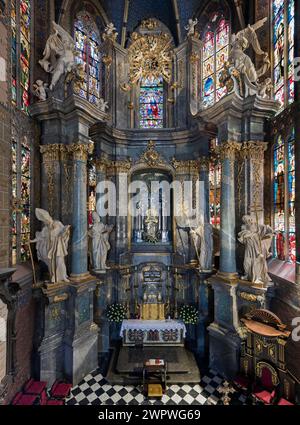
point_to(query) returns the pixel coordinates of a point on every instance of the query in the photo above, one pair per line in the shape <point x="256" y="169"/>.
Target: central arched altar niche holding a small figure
<point x="152" y="225"/>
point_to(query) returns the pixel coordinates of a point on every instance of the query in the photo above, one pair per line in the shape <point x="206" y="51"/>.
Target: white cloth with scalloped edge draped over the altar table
<point x="151" y="325"/>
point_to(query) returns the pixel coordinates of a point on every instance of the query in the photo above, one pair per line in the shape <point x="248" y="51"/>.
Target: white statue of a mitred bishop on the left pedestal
<point x="52" y="245"/>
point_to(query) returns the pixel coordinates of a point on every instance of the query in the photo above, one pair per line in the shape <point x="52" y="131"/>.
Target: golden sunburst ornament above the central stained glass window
<point x="150" y="57"/>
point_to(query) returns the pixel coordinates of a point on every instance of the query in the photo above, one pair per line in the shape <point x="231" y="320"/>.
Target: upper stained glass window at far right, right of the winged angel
<point x="283" y="43"/>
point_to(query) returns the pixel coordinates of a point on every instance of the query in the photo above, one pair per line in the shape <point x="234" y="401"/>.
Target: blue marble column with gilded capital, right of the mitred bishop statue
<point x="79" y="246"/>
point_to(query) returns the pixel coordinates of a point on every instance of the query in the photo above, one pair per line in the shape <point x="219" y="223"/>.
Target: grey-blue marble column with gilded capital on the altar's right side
<point x="228" y="232"/>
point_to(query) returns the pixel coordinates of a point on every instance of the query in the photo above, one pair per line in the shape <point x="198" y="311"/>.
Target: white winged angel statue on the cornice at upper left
<point x="58" y="56"/>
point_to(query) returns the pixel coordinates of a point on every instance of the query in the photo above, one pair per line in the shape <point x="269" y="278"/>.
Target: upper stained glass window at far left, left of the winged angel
<point x="20" y="53"/>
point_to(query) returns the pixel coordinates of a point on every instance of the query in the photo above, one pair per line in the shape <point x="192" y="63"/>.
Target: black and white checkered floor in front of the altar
<point x="94" y="389"/>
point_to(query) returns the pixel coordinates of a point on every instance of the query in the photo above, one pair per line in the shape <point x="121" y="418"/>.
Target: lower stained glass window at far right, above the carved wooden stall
<point x="284" y="198"/>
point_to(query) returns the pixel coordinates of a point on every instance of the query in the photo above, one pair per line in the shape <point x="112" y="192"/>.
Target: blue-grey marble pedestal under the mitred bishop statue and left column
<point x="66" y="340"/>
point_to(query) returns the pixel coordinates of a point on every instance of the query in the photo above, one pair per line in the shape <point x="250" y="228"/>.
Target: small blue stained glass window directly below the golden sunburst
<point x="152" y="103"/>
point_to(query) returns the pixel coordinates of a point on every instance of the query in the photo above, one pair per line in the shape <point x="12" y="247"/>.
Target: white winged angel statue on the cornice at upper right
<point x="240" y="60"/>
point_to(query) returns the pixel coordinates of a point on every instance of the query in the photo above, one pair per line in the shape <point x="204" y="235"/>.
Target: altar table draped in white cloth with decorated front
<point x="153" y="332"/>
